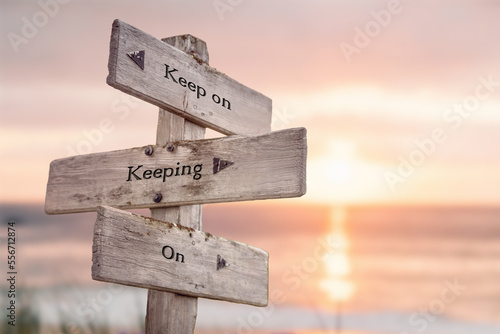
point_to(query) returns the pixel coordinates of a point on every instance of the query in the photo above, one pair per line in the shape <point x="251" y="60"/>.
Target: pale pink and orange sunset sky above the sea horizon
<point x="399" y="86"/>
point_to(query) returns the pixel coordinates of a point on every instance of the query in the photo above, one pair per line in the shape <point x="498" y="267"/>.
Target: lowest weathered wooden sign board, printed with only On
<point x="144" y="252"/>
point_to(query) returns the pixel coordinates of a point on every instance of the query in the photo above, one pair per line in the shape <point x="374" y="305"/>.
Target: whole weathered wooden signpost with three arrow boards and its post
<point x="168" y="253"/>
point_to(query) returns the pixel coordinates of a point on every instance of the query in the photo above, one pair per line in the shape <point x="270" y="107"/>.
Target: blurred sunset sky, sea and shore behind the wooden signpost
<point x="399" y="230"/>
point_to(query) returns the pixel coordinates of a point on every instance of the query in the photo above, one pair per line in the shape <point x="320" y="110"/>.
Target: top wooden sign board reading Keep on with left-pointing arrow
<point x="146" y="67"/>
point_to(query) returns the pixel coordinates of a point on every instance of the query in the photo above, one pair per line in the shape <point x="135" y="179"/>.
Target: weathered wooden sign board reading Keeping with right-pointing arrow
<point x="234" y="168"/>
